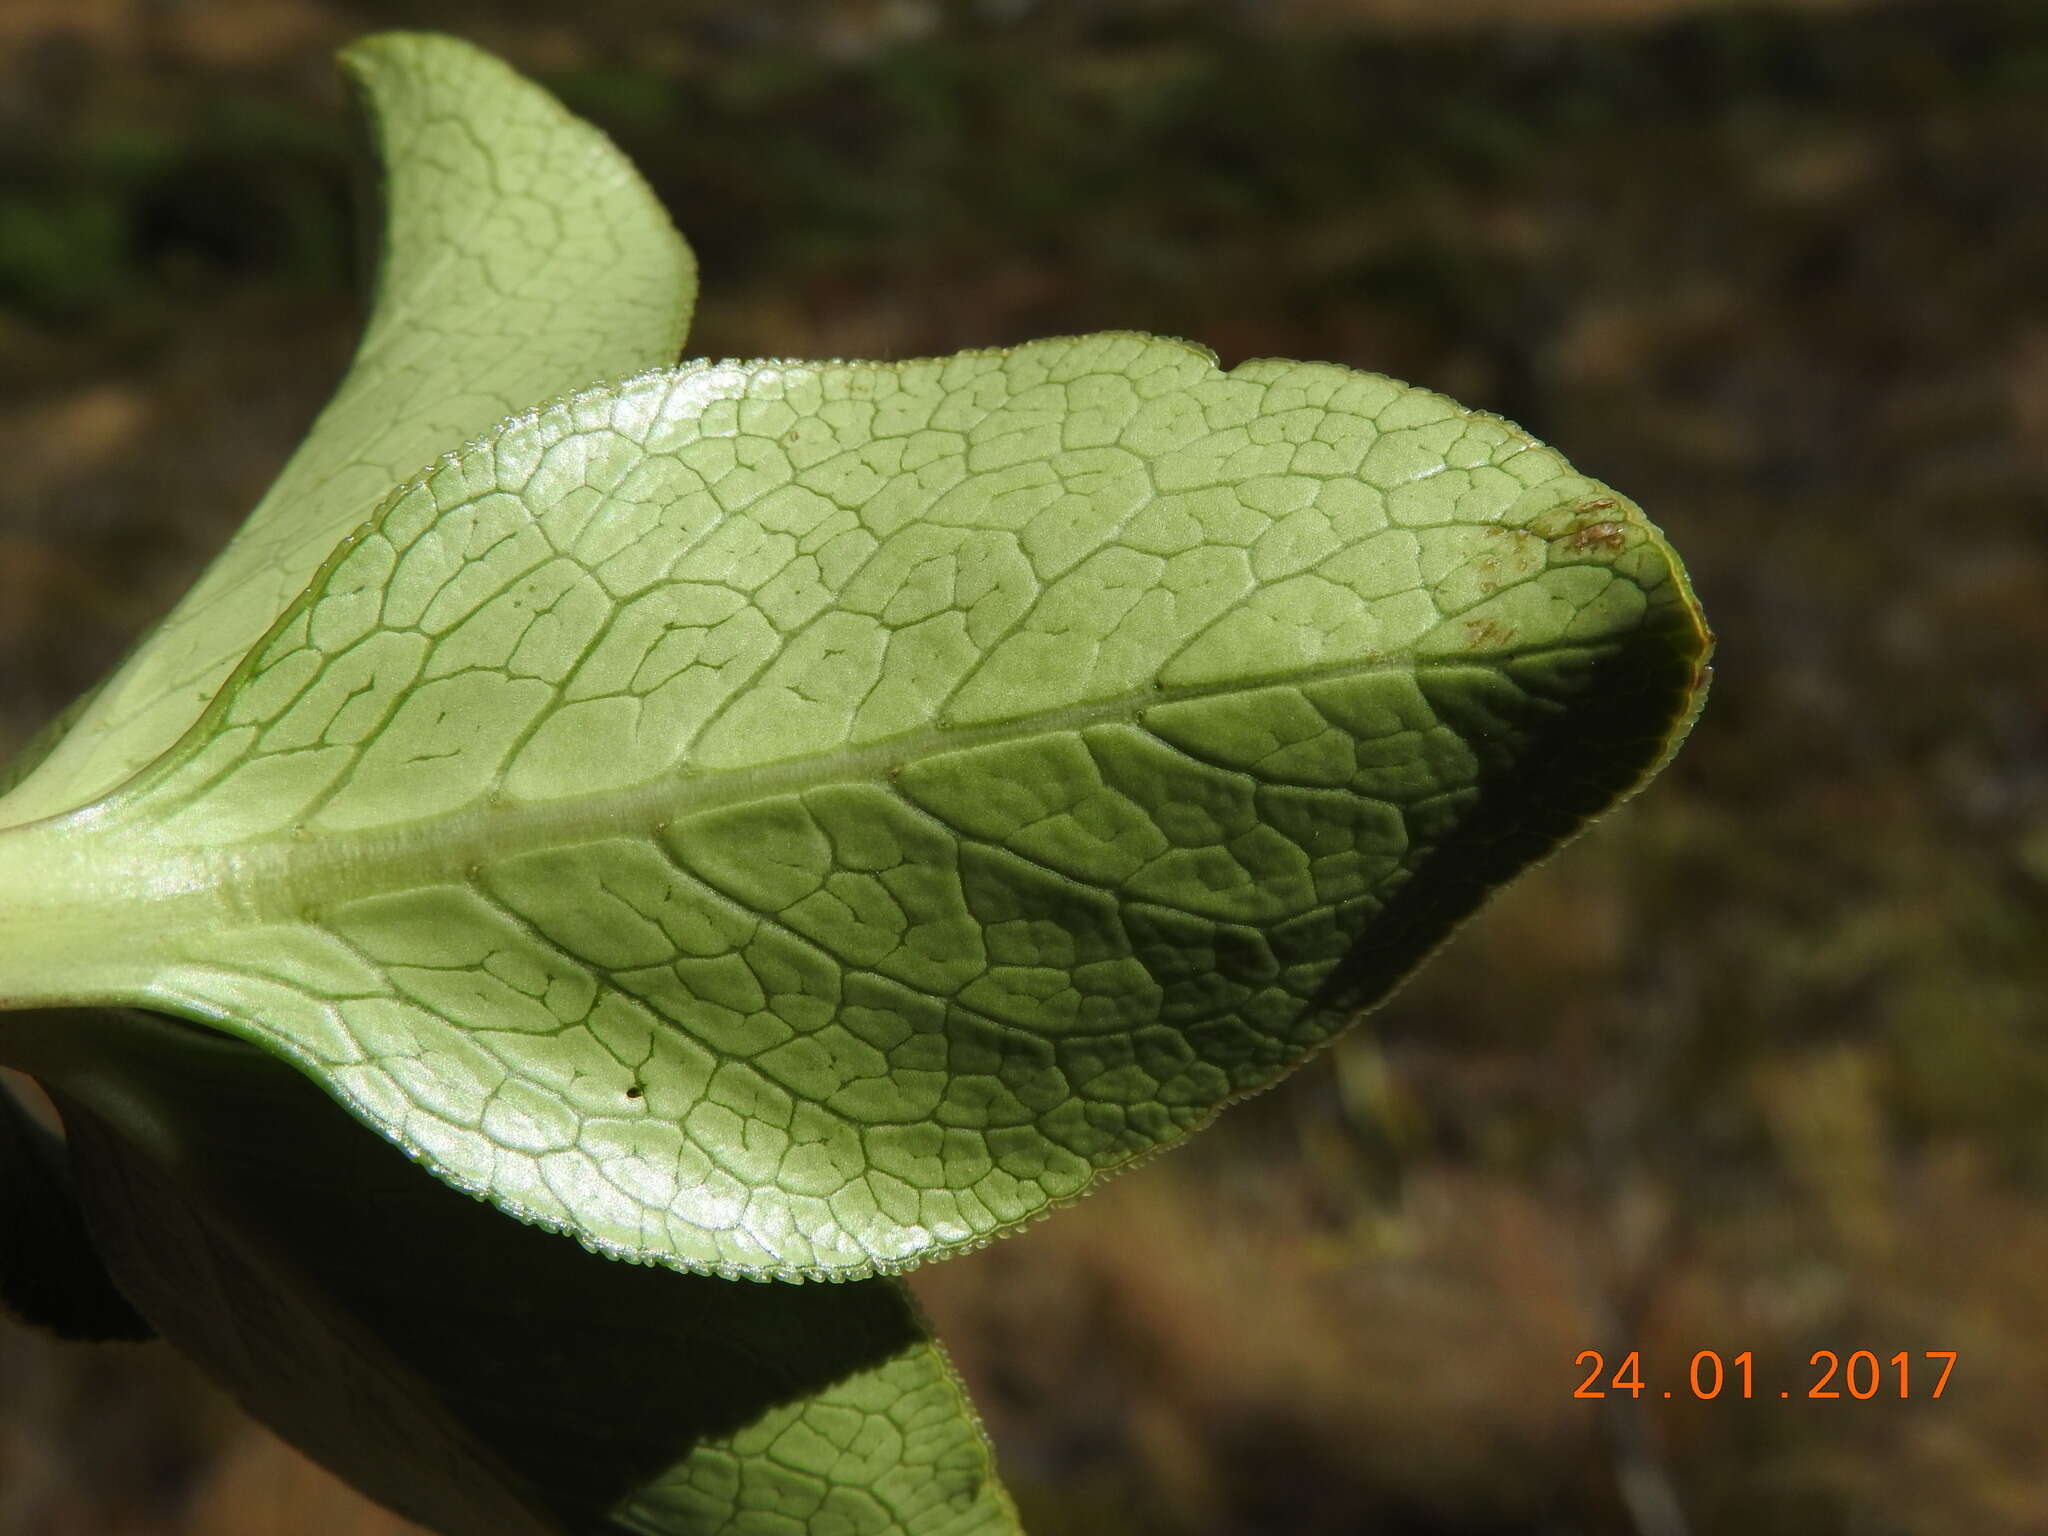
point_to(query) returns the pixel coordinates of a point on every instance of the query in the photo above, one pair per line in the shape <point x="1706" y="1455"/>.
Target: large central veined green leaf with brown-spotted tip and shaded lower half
<point x="812" y="818"/>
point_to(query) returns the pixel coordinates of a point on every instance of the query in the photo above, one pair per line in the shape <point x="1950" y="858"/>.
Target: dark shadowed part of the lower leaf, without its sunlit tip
<point x="357" y="1304"/>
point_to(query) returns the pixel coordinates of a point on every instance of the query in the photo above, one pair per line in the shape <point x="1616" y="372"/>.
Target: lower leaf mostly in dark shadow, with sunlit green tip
<point x="478" y="1375"/>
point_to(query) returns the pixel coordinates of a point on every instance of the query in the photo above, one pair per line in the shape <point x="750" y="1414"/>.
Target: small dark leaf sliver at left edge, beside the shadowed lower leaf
<point x="50" y="1273"/>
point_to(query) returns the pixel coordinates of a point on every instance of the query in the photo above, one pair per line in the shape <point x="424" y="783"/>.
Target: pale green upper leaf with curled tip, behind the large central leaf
<point x="523" y="257"/>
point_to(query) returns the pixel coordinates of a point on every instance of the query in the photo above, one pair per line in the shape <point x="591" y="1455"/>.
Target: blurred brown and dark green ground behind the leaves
<point x="1760" y="1064"/>
